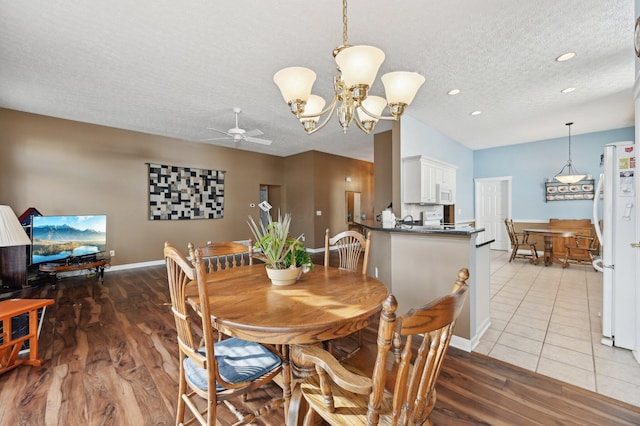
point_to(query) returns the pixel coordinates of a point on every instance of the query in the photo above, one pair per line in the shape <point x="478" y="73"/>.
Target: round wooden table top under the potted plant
<point x="324" y="304"/>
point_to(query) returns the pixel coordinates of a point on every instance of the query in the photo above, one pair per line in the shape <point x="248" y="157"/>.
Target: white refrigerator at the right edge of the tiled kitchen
<point x="615" y="210"/>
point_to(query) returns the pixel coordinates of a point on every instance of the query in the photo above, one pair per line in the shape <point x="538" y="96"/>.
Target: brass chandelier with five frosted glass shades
<point x="357" y="69"/>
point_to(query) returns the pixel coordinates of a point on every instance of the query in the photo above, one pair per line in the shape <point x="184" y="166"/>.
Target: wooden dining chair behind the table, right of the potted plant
<point x="351" y="247"/>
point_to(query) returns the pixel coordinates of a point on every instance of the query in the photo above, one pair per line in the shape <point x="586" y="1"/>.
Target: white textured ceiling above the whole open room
<point x="175" y="68"/>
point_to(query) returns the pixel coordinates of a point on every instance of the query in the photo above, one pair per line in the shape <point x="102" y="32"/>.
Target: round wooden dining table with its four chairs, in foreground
<point x="284" y="334"/>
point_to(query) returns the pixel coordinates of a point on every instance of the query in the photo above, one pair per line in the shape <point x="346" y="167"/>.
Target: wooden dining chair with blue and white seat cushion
<point x="211" y="372"/>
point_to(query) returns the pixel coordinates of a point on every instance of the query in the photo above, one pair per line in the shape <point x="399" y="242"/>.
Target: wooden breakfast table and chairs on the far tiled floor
<point x="565" y="241"/>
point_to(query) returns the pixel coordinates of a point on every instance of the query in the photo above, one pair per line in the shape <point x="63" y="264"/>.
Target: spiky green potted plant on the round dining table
<point x="285" y="257"/>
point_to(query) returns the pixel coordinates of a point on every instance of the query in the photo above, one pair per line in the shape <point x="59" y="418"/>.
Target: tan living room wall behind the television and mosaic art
<point x="67" y="167"/>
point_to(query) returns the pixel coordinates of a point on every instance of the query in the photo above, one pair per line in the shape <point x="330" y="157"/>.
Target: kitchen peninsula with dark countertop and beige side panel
<point x="419" y="264"/>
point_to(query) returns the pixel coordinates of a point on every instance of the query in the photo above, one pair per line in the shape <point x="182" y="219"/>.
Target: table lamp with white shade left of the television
<point x="13" y="255"/>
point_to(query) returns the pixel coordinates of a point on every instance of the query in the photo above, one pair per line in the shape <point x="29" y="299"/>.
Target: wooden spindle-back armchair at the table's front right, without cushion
<point x="399" y="388"/>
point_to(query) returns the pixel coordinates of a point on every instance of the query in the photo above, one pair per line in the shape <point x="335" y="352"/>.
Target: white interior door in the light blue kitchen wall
<point x="493" y="206"/>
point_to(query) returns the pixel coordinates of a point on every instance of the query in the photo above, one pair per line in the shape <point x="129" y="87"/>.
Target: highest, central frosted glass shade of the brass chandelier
<point x="359" y="64"/>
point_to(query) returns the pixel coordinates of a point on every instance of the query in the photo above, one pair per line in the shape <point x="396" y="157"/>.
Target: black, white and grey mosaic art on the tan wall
<point x="184" y="193"/>
